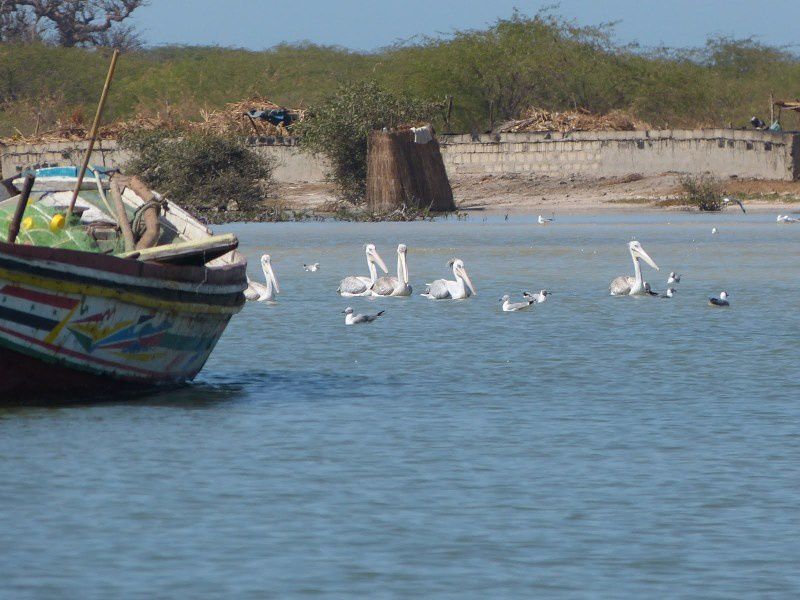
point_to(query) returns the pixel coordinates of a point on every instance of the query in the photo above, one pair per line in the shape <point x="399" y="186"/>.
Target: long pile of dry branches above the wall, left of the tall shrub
<point x="230" y="120"/>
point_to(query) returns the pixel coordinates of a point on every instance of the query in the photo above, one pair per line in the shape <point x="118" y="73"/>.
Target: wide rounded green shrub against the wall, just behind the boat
<point x="205" y="172"/>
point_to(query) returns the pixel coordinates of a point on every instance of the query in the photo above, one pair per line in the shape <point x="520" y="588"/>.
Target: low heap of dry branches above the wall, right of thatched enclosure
<point x="536" y="119"/>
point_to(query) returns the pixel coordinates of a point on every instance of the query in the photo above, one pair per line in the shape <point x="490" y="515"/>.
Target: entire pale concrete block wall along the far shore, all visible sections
<point x="723" y="152"/>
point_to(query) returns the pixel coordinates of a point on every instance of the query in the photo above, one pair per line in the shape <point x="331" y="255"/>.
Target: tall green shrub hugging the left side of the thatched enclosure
<point x="337" y="128"/>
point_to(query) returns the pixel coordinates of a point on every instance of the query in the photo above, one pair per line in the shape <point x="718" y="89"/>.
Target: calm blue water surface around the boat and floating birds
<point x="593" y="447"/>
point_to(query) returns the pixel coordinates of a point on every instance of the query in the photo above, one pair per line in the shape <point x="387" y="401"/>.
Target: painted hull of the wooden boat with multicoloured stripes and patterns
<point x="75" y="322"/>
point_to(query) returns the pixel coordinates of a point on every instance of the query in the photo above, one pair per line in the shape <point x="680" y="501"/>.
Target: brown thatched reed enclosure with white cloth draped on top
<point x="403" y="174"/>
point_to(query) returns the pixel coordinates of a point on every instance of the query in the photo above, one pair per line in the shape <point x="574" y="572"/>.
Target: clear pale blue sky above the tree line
<point x="369" y="24"/>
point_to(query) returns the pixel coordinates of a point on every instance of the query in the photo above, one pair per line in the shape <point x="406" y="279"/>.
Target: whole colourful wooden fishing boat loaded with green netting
<point x="83" y="309"/>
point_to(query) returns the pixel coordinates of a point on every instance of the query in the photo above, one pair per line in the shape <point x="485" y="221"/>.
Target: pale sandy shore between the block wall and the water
<point x="541" y="195"/>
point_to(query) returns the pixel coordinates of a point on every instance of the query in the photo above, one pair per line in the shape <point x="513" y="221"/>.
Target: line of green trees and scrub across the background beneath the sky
<point x="56" y="70"/>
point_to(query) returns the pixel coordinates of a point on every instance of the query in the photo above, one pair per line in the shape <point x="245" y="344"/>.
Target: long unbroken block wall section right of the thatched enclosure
<point x="723" y="152"/>
